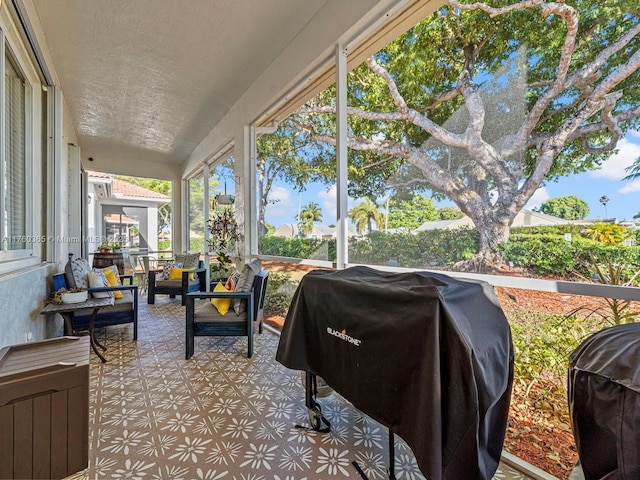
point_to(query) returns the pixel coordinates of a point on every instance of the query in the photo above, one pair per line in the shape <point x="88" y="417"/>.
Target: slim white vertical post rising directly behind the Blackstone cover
<point x="341" y="157"/>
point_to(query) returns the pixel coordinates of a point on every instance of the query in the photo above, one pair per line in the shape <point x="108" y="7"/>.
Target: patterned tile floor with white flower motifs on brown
<point x="219" y="415"/>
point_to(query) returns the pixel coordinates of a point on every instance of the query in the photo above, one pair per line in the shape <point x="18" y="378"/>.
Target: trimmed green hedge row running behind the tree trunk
<point x="544" y="250"/>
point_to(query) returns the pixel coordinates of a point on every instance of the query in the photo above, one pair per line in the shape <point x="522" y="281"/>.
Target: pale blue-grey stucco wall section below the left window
<point x="23" y="295"/>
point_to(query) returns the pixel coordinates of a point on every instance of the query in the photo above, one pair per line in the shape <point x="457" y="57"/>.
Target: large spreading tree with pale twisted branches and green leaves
<point x="482" y="103"/>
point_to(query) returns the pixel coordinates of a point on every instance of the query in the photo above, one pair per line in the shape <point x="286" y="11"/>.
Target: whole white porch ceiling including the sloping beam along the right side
<point x="159" y="84"/>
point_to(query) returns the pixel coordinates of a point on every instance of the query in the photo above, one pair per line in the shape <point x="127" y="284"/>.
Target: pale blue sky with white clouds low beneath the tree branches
<point x="624" y="196"/>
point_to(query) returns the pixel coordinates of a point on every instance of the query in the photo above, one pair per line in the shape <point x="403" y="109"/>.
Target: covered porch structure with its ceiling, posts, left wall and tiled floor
<point x="168" y="89"/>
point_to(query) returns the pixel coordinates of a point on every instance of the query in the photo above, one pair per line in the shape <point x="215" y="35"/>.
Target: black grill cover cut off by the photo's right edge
<point x="604" y="402"/>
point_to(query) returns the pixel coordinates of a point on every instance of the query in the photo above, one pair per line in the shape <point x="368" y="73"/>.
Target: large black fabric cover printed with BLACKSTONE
<point x="424" y="354"/>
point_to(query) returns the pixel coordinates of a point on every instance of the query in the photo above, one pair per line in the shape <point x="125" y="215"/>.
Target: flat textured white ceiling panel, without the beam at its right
<point x="149" y="79"/>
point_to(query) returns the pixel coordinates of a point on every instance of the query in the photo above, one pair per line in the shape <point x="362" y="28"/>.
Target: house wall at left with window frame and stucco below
<point x="25" y="280"/>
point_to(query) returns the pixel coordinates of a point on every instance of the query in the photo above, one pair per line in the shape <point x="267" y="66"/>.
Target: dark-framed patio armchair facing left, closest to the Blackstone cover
<point x="208" y="321"/>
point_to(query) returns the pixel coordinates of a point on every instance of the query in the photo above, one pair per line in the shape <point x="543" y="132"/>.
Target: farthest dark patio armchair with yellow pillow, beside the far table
<point x="191" y="276"/>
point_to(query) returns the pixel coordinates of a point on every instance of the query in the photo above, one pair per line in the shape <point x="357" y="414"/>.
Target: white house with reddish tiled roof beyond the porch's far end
<point x="122" y="212"/>
